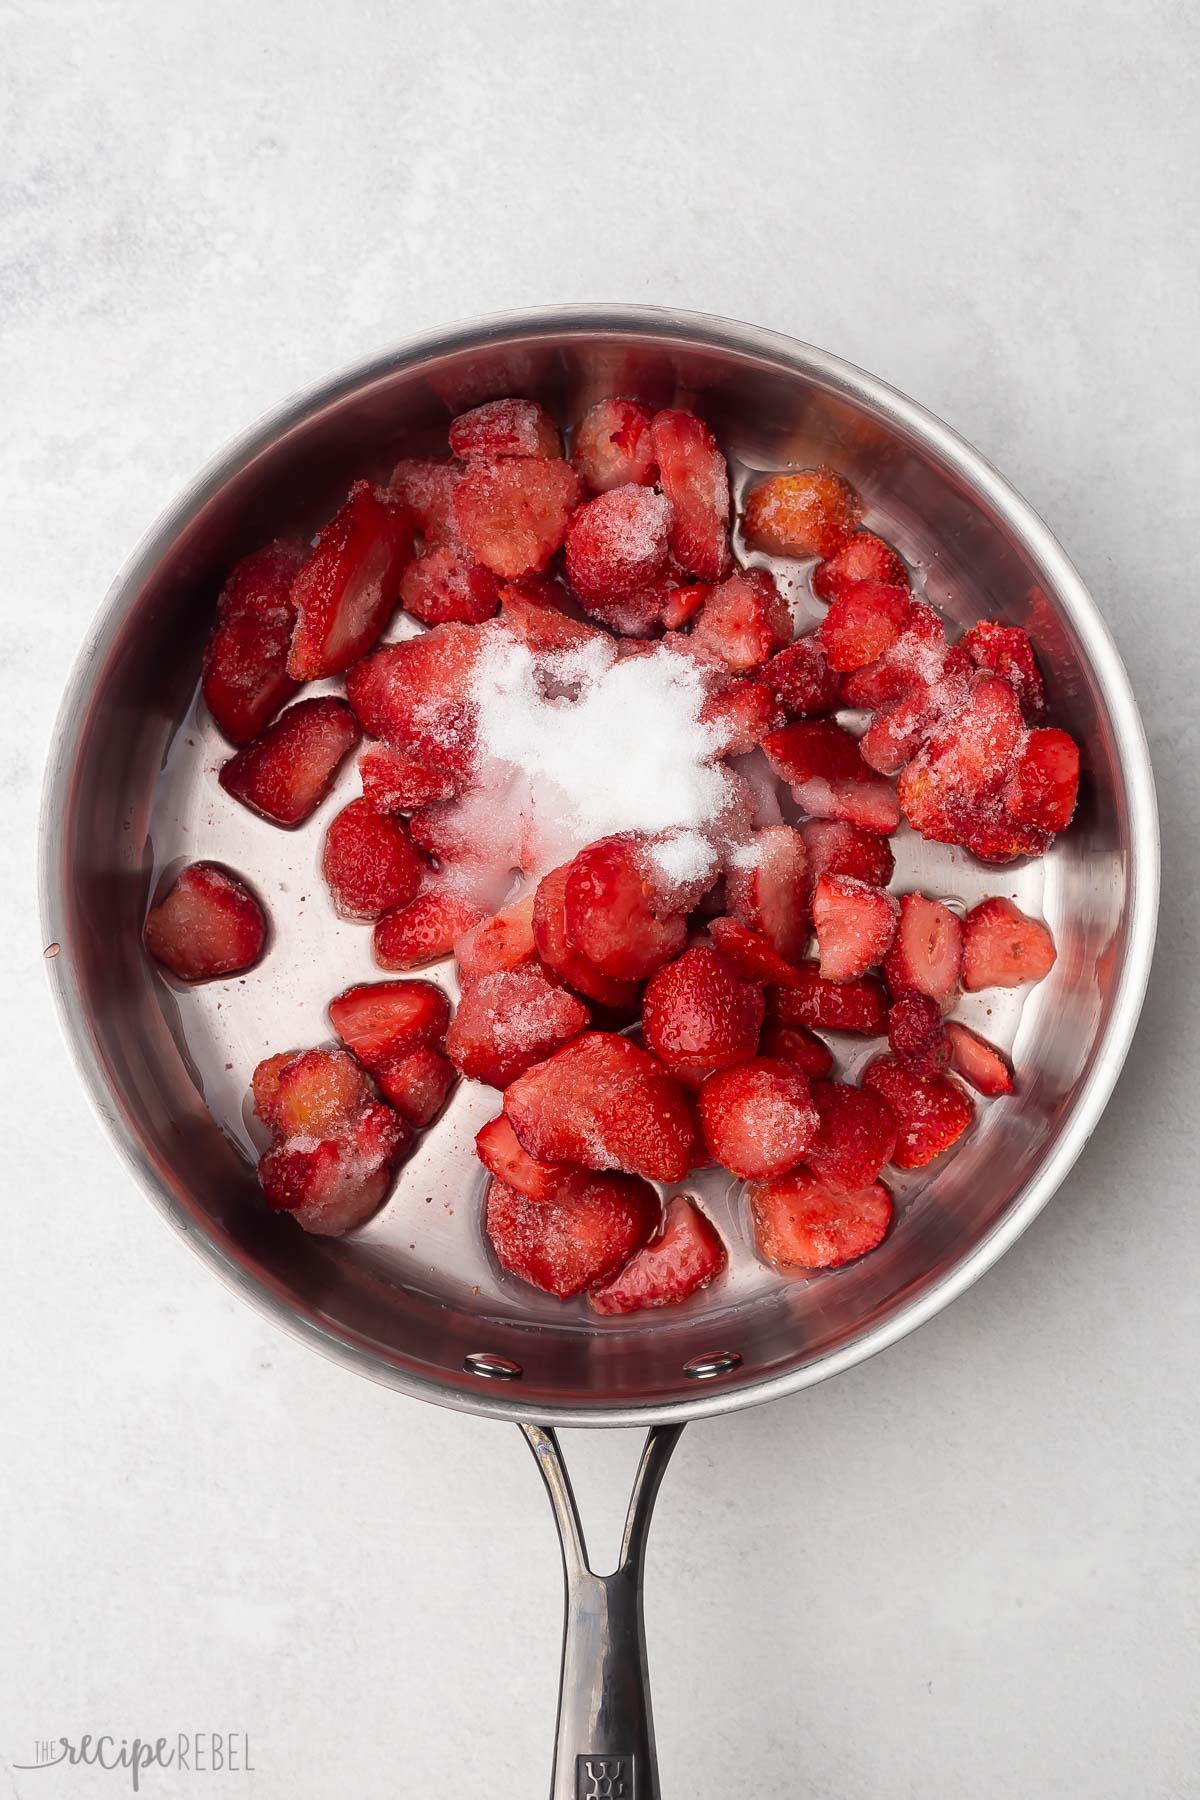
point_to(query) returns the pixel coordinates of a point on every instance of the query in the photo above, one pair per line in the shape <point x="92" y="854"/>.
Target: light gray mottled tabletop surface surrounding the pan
<point x="963" y="1570"/>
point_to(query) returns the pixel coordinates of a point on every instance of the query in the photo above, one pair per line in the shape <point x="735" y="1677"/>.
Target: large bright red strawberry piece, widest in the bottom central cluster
<point x="605" y="1104"/>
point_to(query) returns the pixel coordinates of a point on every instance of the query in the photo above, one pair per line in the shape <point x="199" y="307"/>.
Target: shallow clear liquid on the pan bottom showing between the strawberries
<point x="429" y="1232"/>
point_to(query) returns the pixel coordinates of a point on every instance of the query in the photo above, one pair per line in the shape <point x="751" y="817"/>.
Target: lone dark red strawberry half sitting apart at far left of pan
<point x="208" y="924"/>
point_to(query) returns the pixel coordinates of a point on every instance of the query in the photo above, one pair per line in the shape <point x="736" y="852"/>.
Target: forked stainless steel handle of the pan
<point x="605" y="1741"/>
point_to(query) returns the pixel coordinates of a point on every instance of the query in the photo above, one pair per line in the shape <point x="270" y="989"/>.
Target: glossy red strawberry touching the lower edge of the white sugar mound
<point x="611" y="917"/>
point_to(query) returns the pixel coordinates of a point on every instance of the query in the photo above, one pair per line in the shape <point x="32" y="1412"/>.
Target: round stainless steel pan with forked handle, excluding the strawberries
<point x="413" y="1299"/>
